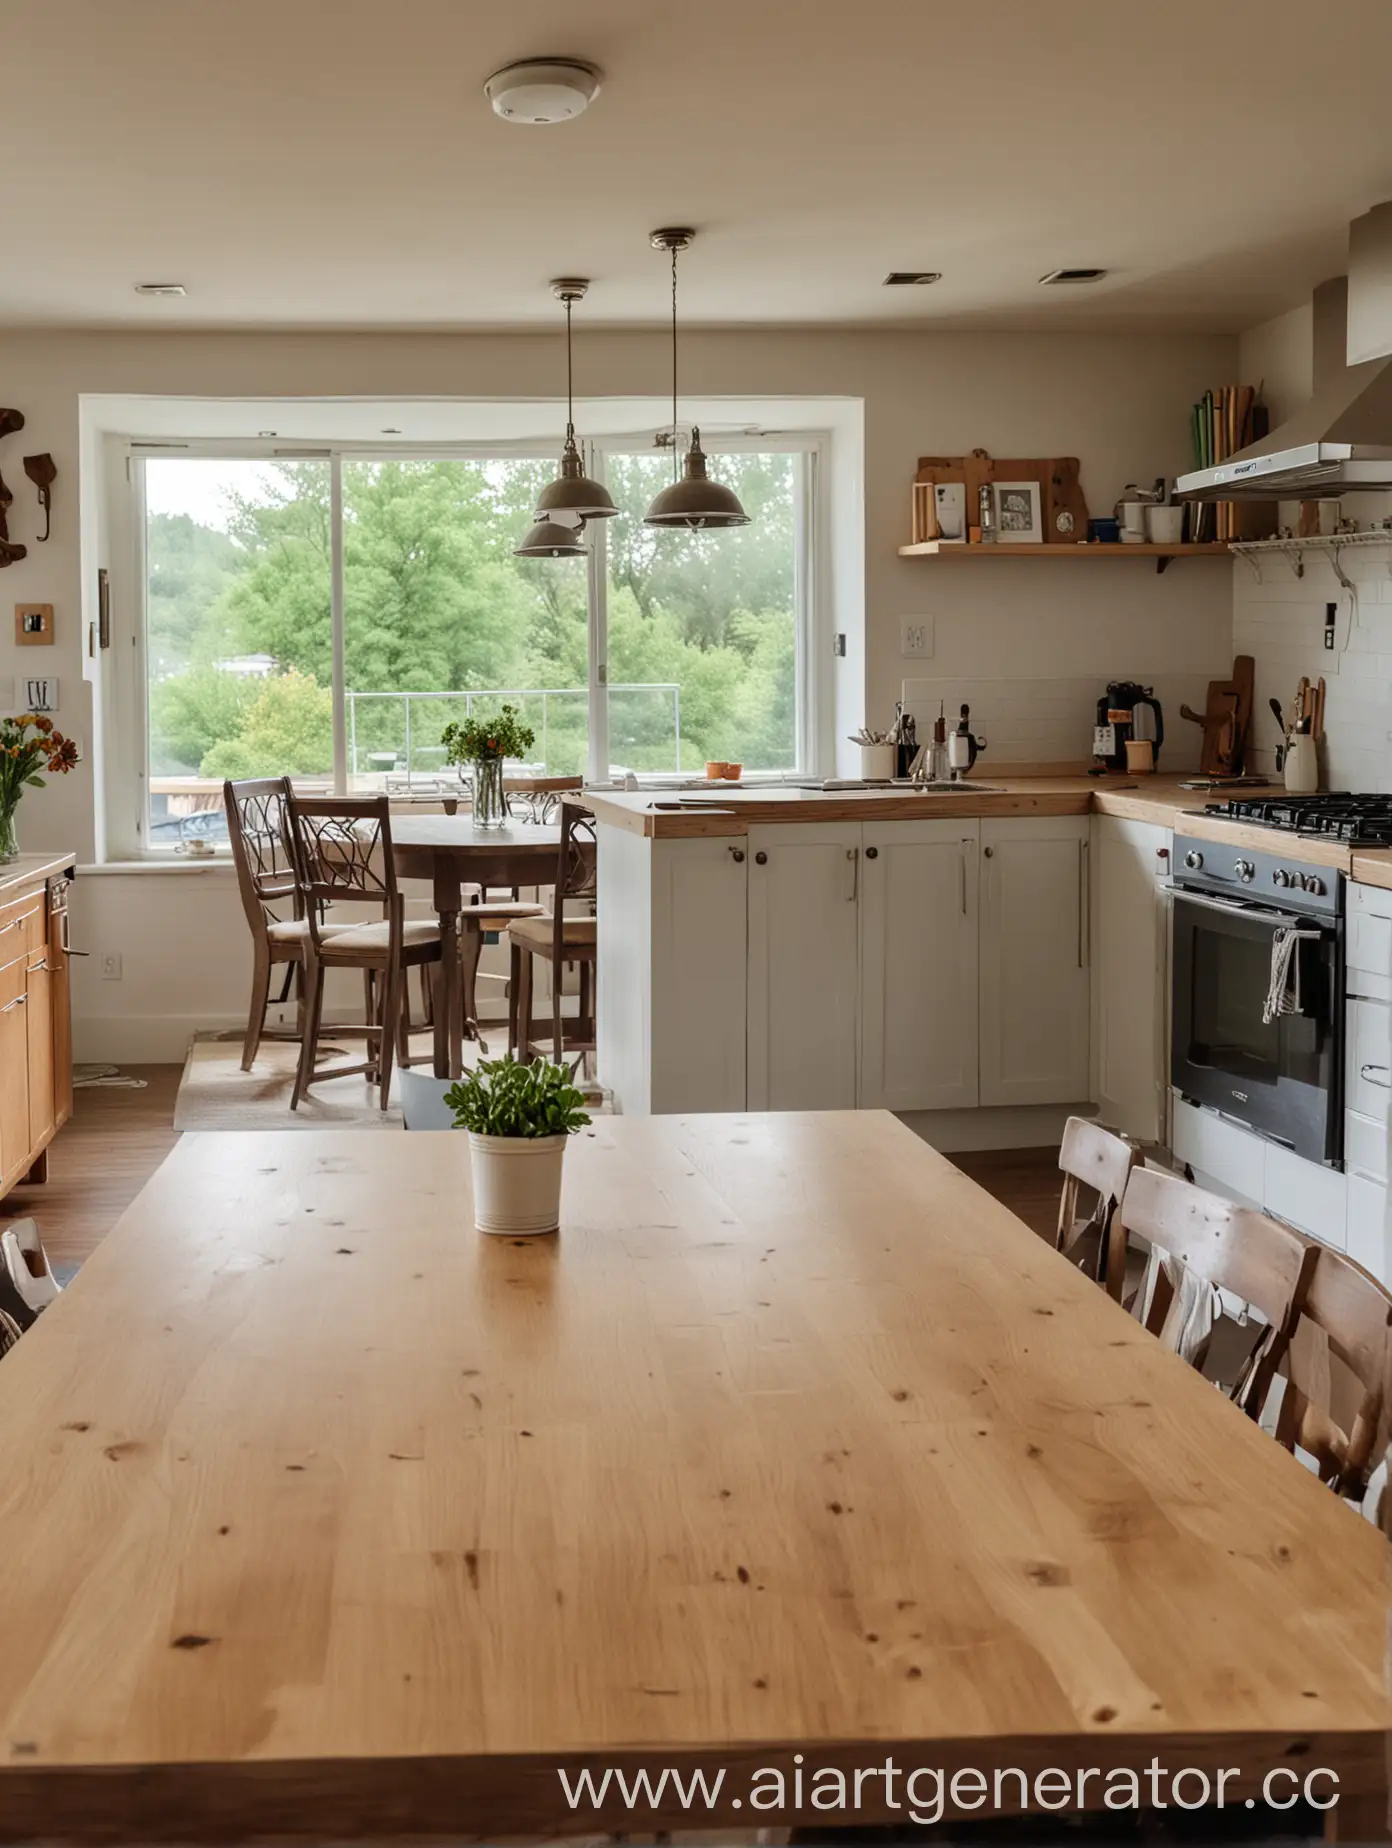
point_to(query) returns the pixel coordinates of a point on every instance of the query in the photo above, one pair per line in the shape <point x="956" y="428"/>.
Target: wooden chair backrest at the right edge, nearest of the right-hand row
<point x="1339" y="1374"/>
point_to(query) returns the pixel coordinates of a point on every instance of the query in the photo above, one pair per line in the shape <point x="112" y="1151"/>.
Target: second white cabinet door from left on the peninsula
<point x="803" y="971"/>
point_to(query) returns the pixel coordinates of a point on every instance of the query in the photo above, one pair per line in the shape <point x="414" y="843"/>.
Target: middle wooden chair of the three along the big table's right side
<point x="1217" y="1246"/>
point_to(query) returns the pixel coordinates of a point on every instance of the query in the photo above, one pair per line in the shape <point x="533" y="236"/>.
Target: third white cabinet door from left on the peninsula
<point x="918" y="966"/>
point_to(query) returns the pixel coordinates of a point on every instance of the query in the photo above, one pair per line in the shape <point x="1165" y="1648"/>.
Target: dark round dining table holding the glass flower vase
<point x="452" y="853"/>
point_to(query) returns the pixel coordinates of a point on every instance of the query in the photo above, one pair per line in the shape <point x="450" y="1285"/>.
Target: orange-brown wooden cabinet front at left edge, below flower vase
<point x="36" y="1030"/>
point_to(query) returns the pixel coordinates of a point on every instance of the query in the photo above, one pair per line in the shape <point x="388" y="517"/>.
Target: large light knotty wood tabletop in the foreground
<point x="326" y="1516"/>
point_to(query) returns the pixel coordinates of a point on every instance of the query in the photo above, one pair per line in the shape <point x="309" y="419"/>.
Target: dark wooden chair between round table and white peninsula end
<point x="559" y="940"/>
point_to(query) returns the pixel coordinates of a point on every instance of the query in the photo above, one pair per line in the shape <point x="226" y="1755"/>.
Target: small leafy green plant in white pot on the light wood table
<point x="519" y="1119"/>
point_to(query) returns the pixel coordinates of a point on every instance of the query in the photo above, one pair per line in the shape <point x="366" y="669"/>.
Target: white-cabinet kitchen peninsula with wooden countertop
<point x="925" y="953"/>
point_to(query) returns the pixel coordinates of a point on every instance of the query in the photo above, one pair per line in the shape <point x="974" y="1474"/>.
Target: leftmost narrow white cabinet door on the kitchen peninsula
<point x="700" y="1025"/>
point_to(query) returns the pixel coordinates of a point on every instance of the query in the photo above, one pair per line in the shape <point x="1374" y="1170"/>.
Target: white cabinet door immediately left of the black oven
<point x="1132" y="975"/>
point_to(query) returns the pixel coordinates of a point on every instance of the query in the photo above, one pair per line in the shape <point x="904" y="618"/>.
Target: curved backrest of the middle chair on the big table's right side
<point x="1232" y="1248"/>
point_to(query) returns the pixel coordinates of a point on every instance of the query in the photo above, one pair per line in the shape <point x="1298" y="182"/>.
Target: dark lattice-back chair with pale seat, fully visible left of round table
<point x="345" y="855"/>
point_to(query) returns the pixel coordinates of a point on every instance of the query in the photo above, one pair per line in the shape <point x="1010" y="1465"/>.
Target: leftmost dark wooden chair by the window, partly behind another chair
<point x="263" y="857"/>
